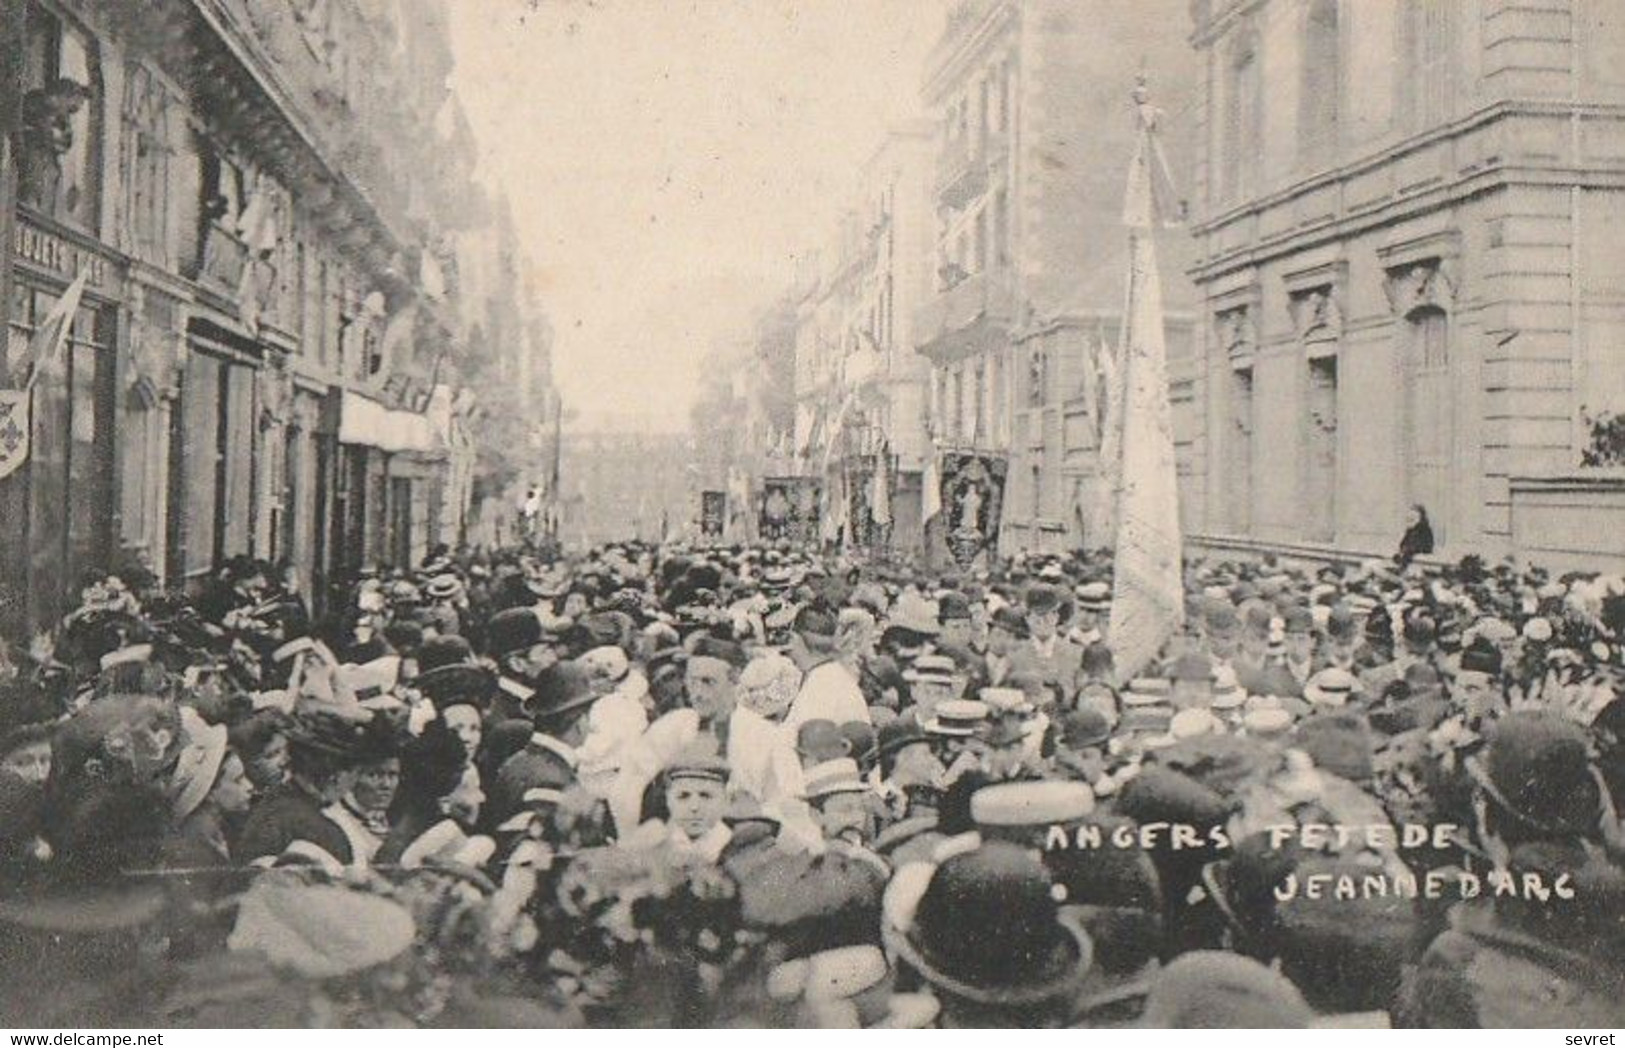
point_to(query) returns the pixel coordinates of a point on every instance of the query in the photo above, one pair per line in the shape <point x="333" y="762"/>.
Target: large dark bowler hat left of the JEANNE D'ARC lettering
<point x="987" y="929"/>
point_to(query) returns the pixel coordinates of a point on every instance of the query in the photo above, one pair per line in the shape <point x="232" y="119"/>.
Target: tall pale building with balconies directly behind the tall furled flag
<point x="1034" y="136"/>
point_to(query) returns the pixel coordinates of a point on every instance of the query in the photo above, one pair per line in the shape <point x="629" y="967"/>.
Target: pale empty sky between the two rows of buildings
<point x="669" y="160"/>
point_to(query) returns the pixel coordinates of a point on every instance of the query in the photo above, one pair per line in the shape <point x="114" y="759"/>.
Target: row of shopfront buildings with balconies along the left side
<point x="267" y="355"/>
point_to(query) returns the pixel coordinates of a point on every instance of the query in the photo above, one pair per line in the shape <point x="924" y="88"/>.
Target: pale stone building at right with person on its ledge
<point x="1411" y="275"/>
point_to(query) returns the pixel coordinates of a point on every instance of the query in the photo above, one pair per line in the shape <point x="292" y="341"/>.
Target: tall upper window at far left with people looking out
<point x="59" y="144"/>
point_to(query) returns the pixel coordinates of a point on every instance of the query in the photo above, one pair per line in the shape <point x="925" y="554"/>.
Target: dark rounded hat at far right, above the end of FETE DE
<point x="1538" y="771"/>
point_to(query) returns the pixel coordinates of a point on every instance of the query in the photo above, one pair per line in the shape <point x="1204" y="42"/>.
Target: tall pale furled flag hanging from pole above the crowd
<point x="1148" y="602"/>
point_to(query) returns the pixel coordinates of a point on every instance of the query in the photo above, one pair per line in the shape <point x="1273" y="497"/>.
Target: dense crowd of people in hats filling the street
<point x="737" y="787"/>
